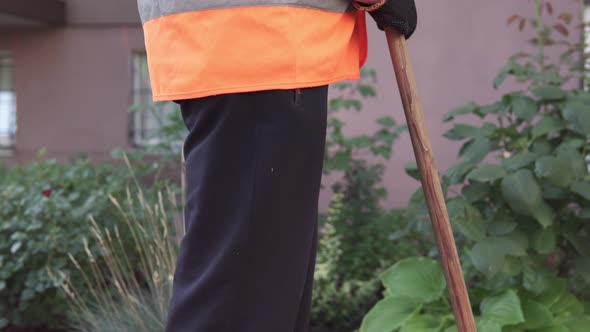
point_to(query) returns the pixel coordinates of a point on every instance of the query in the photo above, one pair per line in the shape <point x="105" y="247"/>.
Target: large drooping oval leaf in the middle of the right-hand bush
<point x="522" y="192"/>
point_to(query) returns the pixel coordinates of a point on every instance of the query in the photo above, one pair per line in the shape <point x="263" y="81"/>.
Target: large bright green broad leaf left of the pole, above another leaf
<point x="420" y="278"/>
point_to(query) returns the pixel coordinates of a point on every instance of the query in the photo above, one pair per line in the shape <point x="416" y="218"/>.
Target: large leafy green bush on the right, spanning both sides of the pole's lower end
<point x="522" y="220"/>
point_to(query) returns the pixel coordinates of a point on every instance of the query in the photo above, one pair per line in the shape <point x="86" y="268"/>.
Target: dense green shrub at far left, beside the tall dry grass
<point x="44" y="207"/>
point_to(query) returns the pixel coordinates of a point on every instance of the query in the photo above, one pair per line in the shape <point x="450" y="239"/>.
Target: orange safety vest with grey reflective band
<point x="198" y="48"/>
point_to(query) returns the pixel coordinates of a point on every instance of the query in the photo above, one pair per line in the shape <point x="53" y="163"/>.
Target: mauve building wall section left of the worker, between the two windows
<point x="72" y="83"/>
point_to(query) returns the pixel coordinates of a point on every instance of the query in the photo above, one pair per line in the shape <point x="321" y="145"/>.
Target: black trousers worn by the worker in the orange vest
<point x="253" y="169"/>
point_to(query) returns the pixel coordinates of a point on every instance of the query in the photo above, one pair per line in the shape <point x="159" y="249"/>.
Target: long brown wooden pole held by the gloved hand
<point x="430" y="181"/>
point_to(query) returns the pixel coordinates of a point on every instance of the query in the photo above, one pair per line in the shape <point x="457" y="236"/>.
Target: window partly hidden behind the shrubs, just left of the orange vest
<point x="147" y="117"/>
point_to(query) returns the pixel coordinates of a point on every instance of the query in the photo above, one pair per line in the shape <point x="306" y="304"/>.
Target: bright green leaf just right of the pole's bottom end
<point x="504" y="309"/>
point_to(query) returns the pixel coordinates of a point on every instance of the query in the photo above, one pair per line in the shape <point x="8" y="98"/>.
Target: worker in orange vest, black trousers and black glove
<point x="251" y="78"/>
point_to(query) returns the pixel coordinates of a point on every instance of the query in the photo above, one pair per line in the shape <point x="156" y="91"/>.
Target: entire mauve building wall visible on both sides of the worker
<point x="73" y="83"/>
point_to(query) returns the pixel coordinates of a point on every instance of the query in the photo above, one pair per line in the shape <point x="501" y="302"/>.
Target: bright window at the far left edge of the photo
<point x="7" y="103"/>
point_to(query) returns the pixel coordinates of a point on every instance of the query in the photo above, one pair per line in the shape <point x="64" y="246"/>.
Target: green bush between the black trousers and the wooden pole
<point x="358" y="238"/>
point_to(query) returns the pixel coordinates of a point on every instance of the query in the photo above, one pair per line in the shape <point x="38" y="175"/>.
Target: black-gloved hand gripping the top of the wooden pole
<point x="400" y="14"/>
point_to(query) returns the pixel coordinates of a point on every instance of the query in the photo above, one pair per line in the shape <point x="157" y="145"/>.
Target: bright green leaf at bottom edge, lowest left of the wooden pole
<point x="389" y="314"/>
